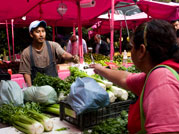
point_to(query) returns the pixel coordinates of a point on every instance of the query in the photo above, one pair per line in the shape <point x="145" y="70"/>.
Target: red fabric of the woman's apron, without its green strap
<point x="134" y="123"/>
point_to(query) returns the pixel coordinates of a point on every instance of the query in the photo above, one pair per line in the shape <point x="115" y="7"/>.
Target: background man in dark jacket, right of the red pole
<point x="101" y="46"/>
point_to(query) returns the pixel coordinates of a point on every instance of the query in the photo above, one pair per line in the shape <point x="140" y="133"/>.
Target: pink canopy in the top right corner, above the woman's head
<point x="160" y="10"/>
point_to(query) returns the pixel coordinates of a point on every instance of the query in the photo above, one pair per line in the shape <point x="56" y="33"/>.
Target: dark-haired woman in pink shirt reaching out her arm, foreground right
<point x="156" y="110"/>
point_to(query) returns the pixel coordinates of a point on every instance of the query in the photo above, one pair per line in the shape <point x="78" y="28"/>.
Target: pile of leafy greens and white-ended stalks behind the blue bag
<point x="62" y="87"/>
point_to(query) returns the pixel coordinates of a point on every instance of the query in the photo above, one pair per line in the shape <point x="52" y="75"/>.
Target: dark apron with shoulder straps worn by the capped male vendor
<point x="48" y="70"/>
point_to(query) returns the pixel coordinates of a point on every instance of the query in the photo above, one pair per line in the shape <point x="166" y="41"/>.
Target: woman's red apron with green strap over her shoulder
<point x="136" y="117"/>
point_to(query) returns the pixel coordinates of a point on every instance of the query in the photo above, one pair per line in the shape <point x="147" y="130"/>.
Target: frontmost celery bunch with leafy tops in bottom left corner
<point x="18" y="116"/>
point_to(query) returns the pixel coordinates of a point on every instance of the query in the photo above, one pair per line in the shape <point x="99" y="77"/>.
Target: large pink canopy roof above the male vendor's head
<point x="47" y="10"/>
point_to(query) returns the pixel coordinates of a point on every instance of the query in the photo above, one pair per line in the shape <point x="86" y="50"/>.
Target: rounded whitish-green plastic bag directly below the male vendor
<point x="42" y="94"/>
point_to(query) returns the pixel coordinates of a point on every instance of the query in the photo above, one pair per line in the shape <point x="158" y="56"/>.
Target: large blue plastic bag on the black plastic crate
<point x="87" y="95"/>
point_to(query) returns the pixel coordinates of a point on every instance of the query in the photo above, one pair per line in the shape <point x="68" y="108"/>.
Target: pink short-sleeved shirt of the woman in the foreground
<point x="161" y="100"/>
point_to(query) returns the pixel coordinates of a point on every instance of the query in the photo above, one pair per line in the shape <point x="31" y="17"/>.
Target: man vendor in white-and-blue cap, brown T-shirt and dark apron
<point x="41" y="55"/>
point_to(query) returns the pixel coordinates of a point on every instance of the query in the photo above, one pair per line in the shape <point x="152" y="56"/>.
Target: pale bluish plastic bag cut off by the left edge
<point x="10" y="92"/>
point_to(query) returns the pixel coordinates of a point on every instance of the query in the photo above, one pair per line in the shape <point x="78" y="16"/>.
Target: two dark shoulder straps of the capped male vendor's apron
<point x="49" y="53"/>
